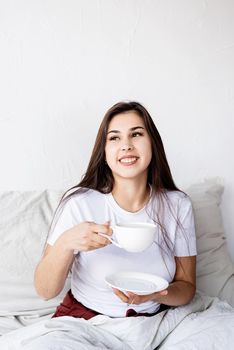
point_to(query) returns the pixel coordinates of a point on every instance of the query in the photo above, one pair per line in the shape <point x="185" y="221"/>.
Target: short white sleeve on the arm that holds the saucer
<point x="185" y="239"/>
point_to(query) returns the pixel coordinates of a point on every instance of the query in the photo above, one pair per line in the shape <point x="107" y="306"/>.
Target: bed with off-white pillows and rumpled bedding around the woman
<point x="206" y="323"/>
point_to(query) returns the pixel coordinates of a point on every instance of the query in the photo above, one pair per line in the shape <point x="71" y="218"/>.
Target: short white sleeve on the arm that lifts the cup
<point x="64" y="219"/>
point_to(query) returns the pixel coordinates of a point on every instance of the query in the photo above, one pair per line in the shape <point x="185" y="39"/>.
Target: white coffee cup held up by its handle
<point x="133" y="236"/>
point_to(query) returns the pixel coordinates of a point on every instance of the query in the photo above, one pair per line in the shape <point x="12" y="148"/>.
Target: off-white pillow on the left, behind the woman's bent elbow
<point x="24" y="221"/>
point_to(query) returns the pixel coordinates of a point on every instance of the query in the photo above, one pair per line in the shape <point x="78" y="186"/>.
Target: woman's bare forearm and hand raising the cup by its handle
<point x="52" y="270"/>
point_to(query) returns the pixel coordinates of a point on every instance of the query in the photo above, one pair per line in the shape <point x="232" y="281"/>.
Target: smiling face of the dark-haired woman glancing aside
<point x="128" y="146"/>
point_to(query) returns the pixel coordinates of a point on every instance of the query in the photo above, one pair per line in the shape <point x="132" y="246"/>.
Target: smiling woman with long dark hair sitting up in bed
<point x="128" y="179"/>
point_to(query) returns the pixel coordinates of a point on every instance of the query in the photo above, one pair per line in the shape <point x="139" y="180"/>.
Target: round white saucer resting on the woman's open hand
<point x="137" y="282"/>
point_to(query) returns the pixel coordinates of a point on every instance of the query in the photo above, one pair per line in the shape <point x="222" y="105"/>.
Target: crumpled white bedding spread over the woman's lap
<point x="205" y="323"/>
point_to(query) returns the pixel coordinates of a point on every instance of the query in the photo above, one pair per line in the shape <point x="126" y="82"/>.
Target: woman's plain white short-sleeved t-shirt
<point x="90" y="268"/>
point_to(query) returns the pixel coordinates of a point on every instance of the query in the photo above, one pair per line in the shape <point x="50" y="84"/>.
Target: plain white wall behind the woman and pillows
<point x="64" y="63"/>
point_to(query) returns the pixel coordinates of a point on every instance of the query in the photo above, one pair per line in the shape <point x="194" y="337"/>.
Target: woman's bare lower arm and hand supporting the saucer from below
<point x="181" y="291"/>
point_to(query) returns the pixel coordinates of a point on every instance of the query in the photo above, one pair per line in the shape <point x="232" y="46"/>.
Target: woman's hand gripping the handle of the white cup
<point x="85" y="237"/>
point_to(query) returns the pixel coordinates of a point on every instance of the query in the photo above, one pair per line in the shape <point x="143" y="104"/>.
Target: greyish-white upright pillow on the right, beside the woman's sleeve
<point x="215" y="270"/>
